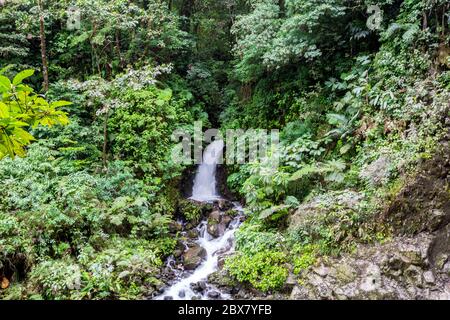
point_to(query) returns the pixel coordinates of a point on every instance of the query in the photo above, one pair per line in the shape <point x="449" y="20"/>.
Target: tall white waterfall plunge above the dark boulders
<point x="205" y="188"/>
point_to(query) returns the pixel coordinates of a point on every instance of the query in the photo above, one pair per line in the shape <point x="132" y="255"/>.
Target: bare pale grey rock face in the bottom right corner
<point x="400" y="269"/>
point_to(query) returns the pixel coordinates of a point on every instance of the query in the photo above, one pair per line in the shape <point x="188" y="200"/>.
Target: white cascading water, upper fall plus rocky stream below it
<point x="204" y="190"/>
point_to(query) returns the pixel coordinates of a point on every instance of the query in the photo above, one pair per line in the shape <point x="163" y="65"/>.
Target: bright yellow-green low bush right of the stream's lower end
<point x="265" y="271"/>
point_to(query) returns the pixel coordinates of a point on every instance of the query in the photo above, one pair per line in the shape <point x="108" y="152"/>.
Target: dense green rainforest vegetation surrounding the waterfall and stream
<point x="92" y="90"/>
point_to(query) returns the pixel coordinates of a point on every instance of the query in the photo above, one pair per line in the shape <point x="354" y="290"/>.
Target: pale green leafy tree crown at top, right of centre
<point x="275" y="34"/>
